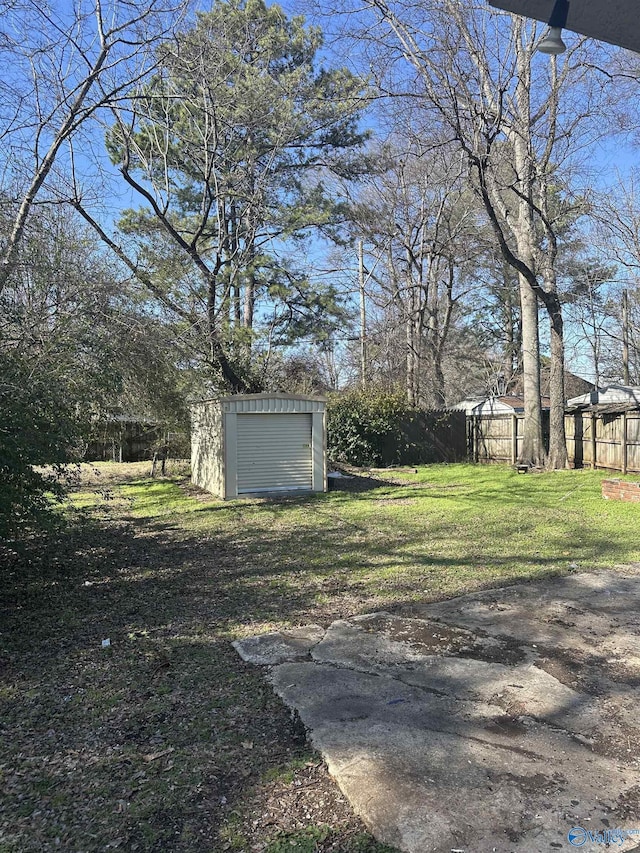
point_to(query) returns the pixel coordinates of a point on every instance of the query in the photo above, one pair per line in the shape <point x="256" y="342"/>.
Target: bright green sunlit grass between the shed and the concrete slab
<point x="446" y="530"/>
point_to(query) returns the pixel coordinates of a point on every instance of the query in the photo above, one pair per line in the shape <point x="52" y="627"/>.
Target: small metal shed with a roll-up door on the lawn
<point x="259" y="443"/>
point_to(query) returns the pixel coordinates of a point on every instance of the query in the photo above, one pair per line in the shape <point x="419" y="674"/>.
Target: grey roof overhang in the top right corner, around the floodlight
<point x="613" y="21"/>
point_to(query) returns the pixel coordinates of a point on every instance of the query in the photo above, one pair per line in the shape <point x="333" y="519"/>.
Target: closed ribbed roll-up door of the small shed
<point x="274" y="452"/>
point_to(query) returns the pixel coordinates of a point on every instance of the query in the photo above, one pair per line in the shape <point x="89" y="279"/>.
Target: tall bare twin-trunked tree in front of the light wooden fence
<point x="508" y="110"/>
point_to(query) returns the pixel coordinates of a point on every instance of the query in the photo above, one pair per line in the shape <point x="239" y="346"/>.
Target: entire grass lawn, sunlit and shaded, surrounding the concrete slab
<point x="165" y="740"/>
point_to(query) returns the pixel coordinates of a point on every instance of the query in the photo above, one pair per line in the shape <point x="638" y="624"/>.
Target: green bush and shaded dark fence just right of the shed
<point x="380" y="429"/>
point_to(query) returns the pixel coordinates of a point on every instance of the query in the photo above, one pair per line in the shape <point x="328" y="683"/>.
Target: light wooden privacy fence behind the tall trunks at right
<point x="594" y="439"/>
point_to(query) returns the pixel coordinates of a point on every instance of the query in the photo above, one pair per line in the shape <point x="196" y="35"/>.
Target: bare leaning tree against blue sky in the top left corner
<point x="67" y="64"/>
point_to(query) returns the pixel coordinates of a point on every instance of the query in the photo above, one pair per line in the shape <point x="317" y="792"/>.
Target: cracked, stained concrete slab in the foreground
<point x="490" y="722"/>
